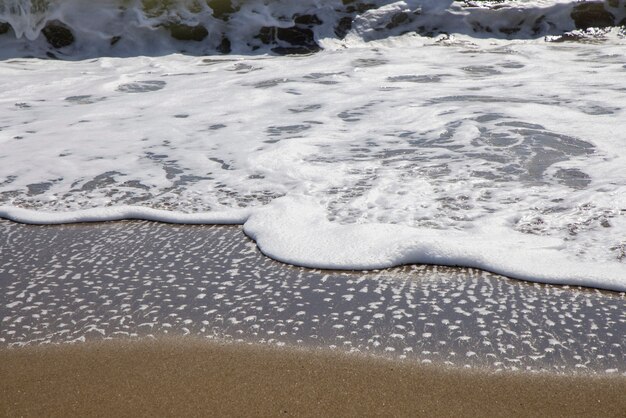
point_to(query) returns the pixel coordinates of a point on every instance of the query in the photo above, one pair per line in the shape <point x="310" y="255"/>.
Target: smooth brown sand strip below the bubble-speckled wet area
<point x="192" y="377"/>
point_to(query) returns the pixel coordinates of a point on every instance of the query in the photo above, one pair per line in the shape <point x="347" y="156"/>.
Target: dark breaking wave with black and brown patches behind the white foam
<point x="77" y="28"/>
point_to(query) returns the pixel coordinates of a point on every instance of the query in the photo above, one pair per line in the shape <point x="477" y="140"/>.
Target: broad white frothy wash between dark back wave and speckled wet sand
<point x="505" y="156"/>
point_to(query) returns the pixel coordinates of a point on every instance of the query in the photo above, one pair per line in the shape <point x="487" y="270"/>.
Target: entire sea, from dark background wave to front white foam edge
<point x="340" y="134"/>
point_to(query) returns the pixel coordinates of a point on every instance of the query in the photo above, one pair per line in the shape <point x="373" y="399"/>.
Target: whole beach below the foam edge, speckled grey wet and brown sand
<point x="140" y="318"/>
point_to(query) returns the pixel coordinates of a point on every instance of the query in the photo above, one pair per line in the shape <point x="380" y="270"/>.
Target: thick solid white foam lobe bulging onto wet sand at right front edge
<point x="304" y="237"/>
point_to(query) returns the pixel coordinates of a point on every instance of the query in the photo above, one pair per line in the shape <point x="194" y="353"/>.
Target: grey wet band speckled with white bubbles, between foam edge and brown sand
<point x="139" y="279"/>
